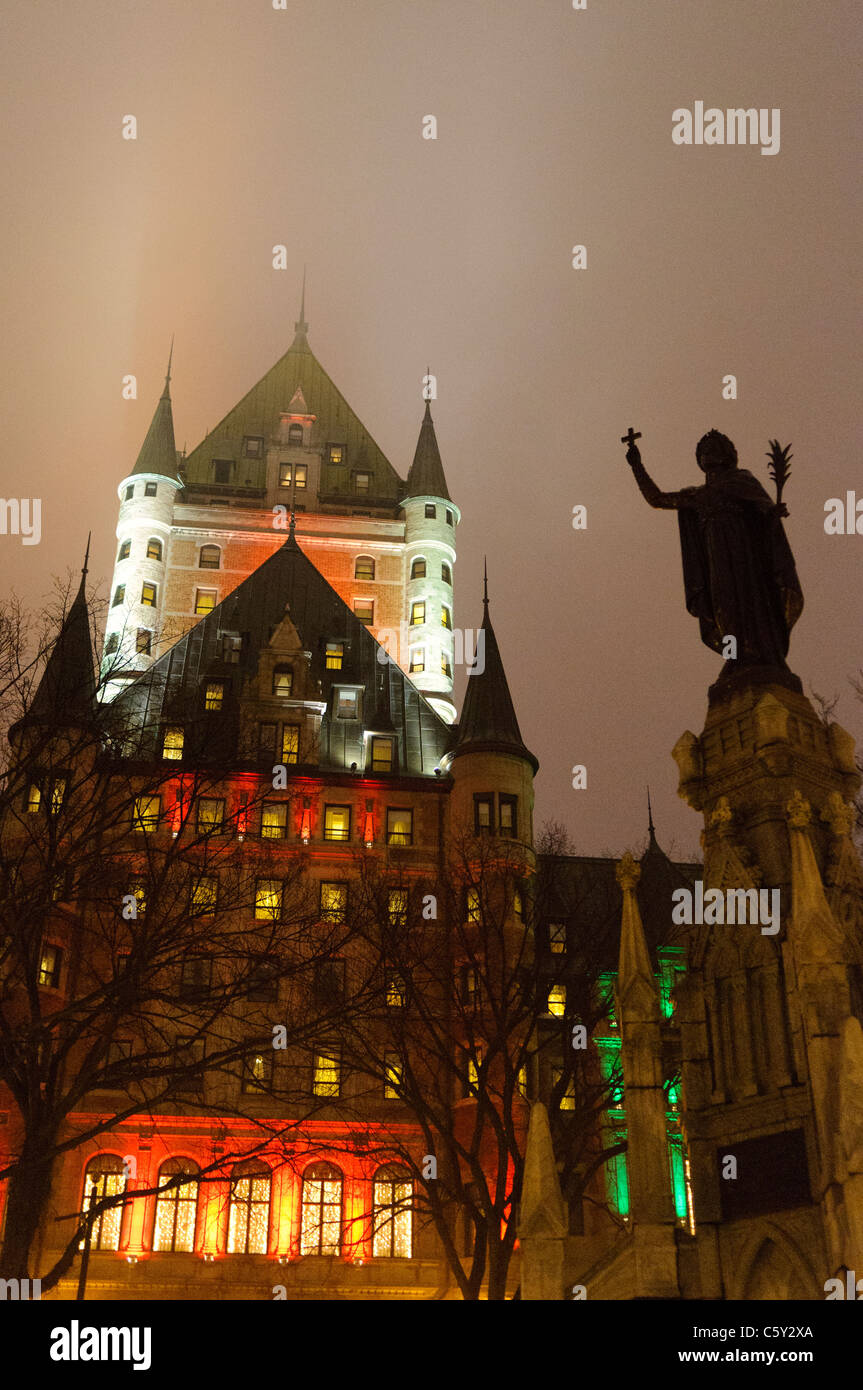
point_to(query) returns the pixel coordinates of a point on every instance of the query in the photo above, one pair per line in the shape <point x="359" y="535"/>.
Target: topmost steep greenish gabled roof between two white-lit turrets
<point x="259" y="414"/>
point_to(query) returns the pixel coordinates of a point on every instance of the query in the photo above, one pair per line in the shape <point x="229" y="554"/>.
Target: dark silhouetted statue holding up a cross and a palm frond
<point x="740" y="578"/>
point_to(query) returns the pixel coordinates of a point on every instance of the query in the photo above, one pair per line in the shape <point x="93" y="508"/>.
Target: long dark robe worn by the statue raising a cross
<point x="740" y="575"/>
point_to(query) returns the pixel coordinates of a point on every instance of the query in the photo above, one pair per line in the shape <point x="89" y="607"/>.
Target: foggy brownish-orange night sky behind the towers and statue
<point x="304" y="127"/>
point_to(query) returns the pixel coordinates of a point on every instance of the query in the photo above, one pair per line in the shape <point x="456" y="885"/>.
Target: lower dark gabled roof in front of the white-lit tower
<point x="288" y="583"/>
